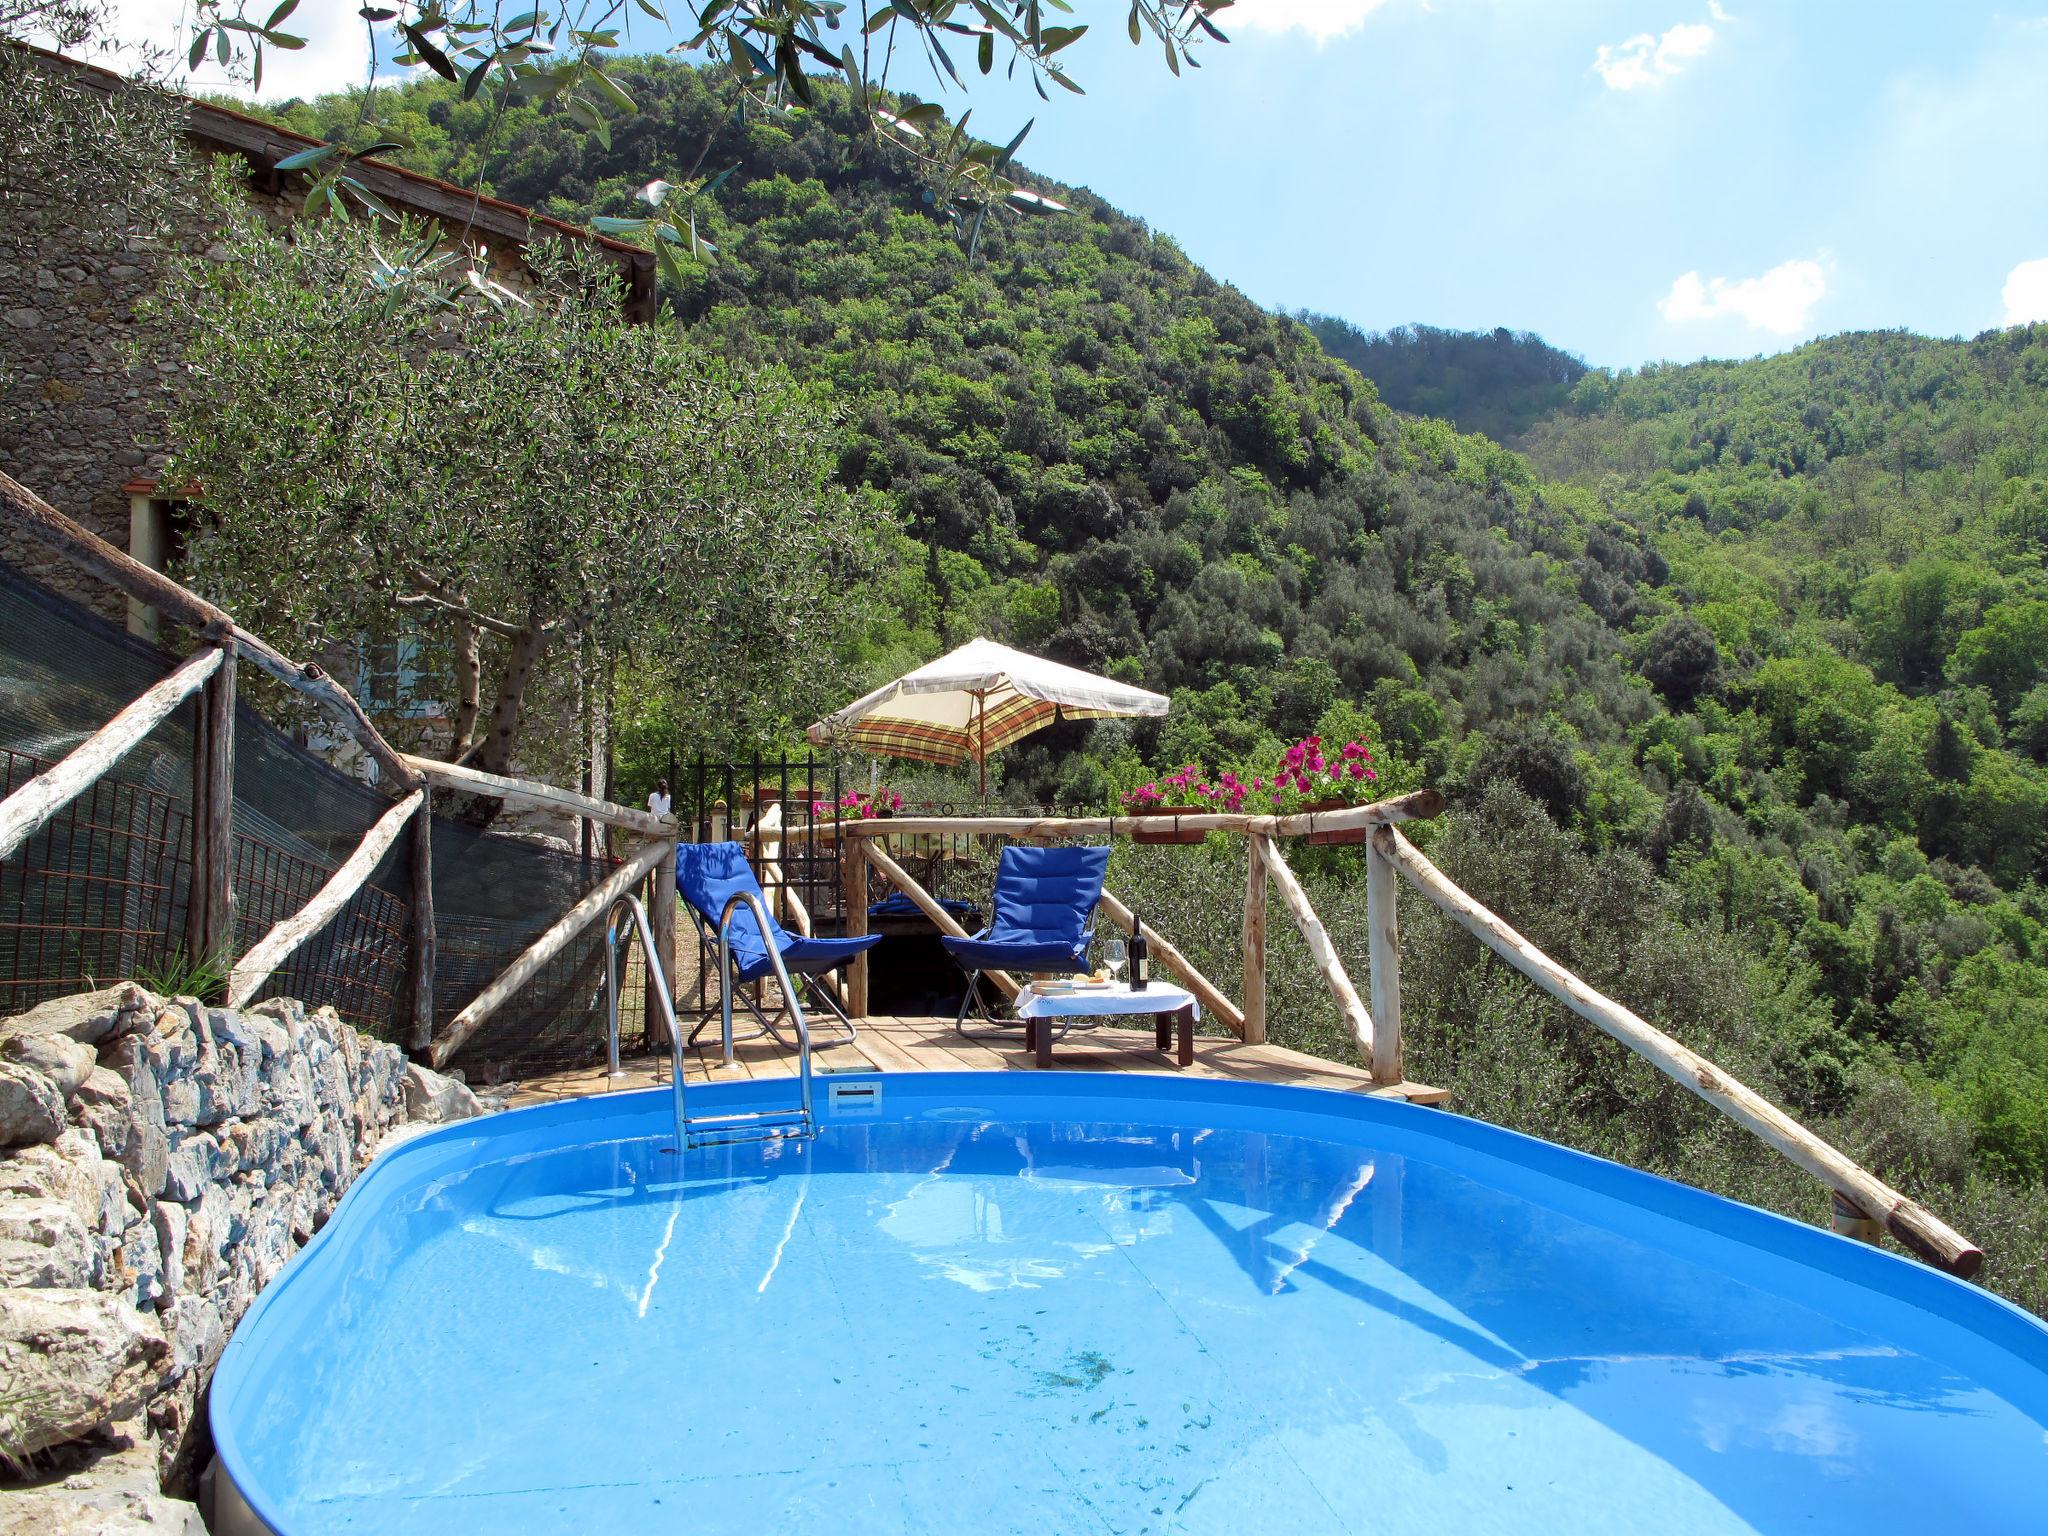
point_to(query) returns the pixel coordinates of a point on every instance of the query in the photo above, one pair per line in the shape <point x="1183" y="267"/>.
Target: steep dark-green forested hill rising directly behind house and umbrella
<point x="1099" y="450"/>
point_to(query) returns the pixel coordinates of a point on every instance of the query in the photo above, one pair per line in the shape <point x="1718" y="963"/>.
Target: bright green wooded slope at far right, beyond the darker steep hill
<point x="1859" y="683"/>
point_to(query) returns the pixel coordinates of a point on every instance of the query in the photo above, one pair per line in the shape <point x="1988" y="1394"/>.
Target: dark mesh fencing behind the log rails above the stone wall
<point x="101" y="892"/>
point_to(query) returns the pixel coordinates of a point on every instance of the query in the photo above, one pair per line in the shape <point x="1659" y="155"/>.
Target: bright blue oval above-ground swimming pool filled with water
<point x="1072" y="1304"/>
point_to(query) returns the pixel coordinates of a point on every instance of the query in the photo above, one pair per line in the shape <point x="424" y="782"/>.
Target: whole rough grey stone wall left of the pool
<point x="159" y="1166"/>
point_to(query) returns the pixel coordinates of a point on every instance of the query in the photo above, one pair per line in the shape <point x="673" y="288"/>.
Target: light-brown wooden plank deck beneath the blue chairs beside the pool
<point x="892" y="1043"/>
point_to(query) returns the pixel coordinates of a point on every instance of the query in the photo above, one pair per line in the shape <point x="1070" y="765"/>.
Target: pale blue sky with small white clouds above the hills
<point x="1633" y="179"/>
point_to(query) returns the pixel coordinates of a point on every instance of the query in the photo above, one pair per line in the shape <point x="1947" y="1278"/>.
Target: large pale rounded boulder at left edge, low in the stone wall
<point x="75" y="1361"/>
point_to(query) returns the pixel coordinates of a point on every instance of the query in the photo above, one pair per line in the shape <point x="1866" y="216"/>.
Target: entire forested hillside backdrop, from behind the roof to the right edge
<point x="1764" y="642"/>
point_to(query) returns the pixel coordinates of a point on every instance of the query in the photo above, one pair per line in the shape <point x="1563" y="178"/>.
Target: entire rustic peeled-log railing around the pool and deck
<point x="1863" y="1201"/>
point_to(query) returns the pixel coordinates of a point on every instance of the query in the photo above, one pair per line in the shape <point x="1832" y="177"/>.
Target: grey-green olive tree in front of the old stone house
<point x="517" y="482"/>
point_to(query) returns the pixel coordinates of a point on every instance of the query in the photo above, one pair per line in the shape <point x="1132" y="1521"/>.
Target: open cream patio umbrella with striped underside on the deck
<point x="976" y="701"/>
